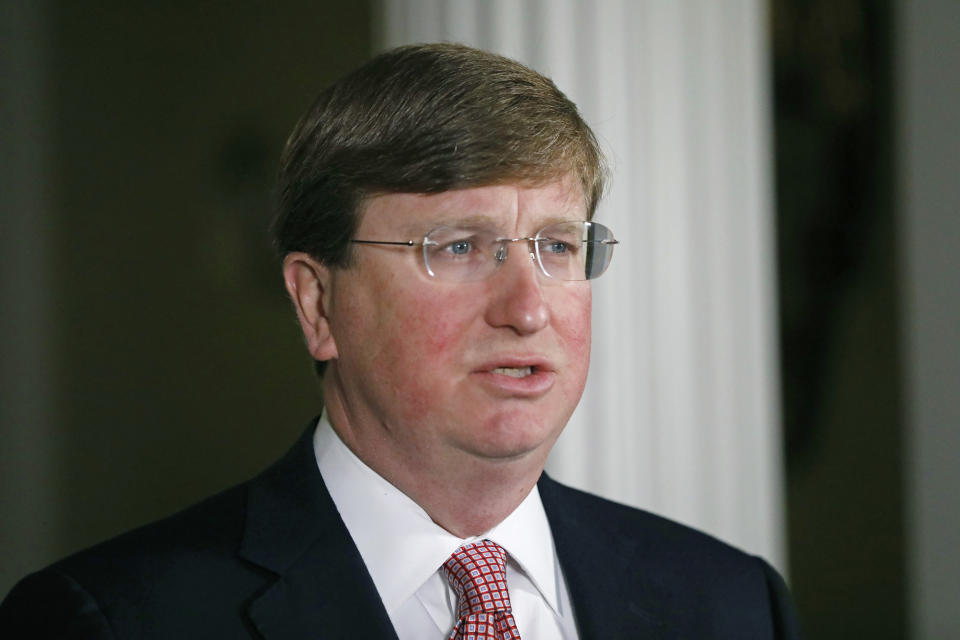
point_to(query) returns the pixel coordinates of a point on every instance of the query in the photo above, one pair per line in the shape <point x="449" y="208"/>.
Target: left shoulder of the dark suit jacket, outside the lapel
<point x="134" y="580"/>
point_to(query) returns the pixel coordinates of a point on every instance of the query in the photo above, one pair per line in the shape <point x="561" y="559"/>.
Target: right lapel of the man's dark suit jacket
<point x="611" y="598"/>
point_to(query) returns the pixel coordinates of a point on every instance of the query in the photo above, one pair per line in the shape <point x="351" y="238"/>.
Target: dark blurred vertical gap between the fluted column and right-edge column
<point x="839" y="326"/>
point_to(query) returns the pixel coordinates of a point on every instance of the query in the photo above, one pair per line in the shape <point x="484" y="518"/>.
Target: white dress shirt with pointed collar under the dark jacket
<point x="404" y="550"/>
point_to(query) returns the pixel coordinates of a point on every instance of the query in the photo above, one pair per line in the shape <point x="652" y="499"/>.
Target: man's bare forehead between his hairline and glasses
<point x="510" y="206"/>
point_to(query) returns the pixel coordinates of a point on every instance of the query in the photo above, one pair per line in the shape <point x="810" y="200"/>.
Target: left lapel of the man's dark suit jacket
<point x="322" y="589"/>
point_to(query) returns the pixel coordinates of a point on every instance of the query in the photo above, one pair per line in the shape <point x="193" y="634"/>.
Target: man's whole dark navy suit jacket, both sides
<point x="272" y="559"/>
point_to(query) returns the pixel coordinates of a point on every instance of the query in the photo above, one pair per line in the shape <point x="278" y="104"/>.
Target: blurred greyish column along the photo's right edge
<point x="929" y="163"/>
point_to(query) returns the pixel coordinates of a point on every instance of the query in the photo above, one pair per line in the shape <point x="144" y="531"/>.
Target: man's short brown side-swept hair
<point x="424" y="119"/>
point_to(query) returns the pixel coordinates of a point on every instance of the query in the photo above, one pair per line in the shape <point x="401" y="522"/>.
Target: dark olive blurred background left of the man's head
<point x="145" y="138"/>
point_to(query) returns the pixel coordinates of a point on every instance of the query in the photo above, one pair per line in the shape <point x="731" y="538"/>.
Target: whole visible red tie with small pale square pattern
<point x="478" y="573"/>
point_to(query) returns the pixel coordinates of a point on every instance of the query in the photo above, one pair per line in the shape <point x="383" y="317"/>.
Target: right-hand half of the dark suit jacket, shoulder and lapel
<point x="680" y="578"/>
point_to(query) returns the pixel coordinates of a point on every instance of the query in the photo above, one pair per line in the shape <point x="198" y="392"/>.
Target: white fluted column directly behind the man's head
<point x="680" y="415"/>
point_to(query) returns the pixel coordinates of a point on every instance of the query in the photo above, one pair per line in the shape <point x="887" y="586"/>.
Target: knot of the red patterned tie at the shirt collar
<point x="478" y="573"/>
